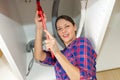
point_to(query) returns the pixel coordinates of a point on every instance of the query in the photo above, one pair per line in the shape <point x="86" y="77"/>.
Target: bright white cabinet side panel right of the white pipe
<point x="97" y="18"/>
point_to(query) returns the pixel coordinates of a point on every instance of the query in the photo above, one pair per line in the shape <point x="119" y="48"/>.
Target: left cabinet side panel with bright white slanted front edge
<point x="12" y="44"/>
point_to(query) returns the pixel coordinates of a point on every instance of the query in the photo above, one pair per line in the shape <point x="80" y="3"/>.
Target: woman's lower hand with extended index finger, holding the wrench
<point x="51" y="43"/>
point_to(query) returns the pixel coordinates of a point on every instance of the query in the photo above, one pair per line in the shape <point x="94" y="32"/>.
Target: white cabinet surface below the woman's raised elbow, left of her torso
<point x="40" y="72"/>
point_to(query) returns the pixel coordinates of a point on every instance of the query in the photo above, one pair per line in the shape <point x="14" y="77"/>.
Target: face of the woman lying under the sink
<point x="66" y="30"/>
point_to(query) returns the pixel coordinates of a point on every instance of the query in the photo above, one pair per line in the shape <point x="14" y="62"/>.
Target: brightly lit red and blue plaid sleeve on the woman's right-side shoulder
<point x="86" y="60"/>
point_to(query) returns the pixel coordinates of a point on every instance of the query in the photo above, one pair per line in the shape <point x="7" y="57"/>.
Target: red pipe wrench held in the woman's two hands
<point x="40" y="14"/>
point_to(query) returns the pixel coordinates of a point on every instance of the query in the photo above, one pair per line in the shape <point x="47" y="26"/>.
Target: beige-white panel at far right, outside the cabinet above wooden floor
<point x="109" y="57"/>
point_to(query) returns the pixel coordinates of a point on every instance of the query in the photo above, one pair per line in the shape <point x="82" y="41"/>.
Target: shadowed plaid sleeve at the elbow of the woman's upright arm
<point x="48" y="60"/>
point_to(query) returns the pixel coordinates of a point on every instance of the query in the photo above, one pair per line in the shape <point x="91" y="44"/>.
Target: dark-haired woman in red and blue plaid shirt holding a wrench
<point x="76" y="61"/>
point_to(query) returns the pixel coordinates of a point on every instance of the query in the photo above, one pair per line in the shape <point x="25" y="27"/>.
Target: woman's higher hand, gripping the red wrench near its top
<point x="38" y="20"/>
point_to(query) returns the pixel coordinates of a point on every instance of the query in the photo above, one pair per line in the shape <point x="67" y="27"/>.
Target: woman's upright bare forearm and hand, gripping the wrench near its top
<point x="39" y="54"/>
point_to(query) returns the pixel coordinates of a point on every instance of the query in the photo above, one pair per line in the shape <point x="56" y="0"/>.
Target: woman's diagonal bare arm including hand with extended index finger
<point x="72" y="71"/>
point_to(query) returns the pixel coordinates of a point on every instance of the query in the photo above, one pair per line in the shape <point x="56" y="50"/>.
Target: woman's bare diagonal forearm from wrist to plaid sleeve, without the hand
<point x="72" y="71"/>
